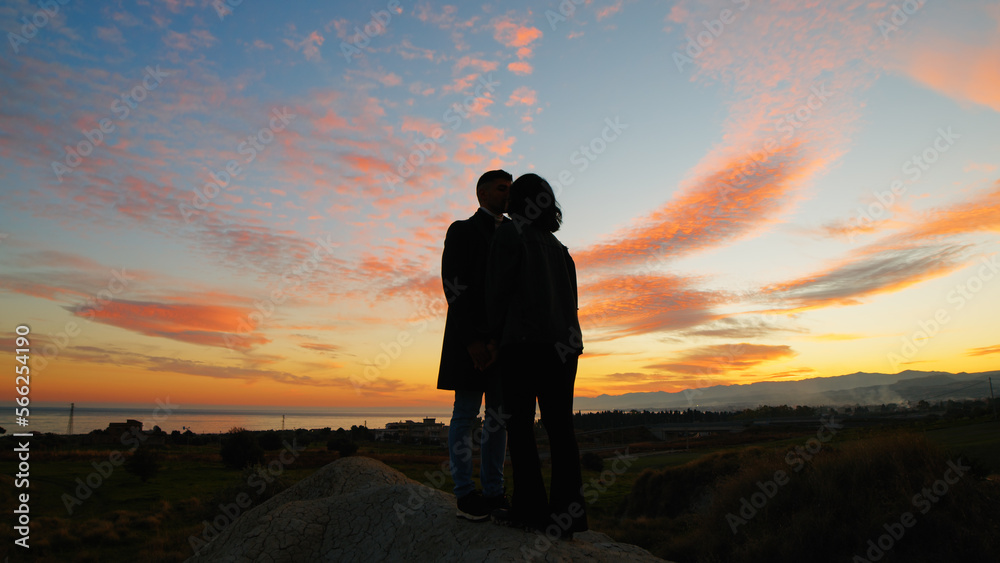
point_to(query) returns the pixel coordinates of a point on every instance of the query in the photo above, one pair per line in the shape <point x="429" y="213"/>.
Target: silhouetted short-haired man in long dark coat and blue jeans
<point x="467" y="358"/>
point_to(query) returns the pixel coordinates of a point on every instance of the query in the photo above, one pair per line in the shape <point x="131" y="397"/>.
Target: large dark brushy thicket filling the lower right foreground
<point x="842" y="498"/>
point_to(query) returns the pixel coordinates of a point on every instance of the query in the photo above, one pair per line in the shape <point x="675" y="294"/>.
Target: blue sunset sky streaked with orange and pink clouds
<point x="245" y="203"/>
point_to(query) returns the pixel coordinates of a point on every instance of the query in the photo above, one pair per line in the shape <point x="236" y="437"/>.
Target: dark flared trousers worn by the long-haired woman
<point x="530" y="372"/>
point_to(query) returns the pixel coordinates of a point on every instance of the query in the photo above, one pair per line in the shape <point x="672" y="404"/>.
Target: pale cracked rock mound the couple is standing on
<point x="359" y="509"/>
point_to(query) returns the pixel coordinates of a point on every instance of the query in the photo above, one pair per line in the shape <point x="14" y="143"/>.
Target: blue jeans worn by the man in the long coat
<point x="492" y="447"/>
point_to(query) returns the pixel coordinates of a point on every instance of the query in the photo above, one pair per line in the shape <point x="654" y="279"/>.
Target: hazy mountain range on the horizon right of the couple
<point x="852" y="389"/>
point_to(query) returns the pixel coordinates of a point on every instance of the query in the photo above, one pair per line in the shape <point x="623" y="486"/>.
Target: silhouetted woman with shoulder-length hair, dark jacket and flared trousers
<point x="531" y="303"/>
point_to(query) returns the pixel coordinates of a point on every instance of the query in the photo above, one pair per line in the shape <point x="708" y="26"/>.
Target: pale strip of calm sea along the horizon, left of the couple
<point x="209" y="419"/>
